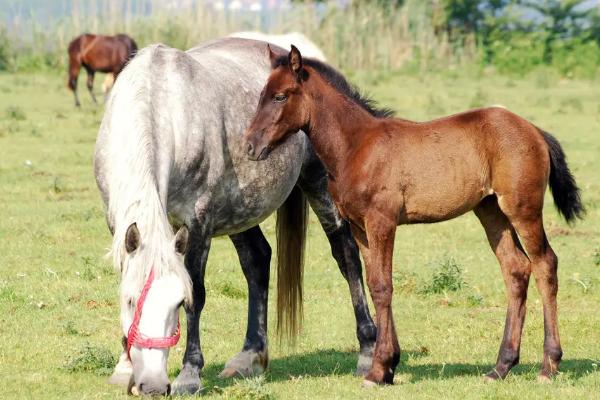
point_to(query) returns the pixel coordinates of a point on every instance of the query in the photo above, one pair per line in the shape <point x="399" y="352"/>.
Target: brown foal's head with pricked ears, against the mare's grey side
<point x="283" y="108"/>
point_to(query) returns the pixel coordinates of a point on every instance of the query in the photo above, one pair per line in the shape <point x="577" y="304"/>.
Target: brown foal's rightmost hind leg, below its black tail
<point x="528" y="223"/>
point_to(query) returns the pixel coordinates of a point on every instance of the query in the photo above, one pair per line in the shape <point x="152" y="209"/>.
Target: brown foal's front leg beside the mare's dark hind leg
<point x="377" y="247"/>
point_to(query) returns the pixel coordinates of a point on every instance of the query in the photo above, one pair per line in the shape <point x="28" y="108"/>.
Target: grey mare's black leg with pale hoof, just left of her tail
<point x="255" y="257"/>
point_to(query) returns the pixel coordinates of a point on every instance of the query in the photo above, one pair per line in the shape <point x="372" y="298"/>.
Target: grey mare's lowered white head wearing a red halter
<point x="155" y="284"/>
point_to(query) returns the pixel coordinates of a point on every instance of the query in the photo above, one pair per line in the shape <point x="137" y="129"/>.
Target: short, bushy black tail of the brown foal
<point x="567" y="196"/>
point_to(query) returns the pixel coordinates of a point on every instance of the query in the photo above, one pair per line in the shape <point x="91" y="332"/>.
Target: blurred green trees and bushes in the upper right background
<point x="519" y="35"/>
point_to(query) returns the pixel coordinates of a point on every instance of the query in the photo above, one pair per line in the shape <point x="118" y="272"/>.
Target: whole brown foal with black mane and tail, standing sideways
<point x="385" y="172"/>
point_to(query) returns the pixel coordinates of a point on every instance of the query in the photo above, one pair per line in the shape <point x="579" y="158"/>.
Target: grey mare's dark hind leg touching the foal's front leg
<point x="313" y="182"/>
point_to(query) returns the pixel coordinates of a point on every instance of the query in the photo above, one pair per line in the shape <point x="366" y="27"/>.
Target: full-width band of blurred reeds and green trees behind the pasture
<point x="511" y="36"/>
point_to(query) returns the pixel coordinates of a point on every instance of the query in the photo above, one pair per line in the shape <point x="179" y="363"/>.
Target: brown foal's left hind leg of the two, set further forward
<point x="516" y="270"/>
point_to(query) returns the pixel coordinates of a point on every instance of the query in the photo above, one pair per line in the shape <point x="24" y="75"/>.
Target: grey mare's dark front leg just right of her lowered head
<point x="188" y="380"/>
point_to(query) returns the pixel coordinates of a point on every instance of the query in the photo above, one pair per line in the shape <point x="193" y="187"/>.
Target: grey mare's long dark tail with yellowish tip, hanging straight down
<point x="292" y="221"/>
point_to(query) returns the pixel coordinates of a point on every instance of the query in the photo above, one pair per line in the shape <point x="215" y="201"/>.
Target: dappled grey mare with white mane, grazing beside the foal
<point x="170" y="146"/>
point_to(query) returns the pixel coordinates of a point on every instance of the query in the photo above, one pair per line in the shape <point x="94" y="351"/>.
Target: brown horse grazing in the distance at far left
<point x="98" y="53"/>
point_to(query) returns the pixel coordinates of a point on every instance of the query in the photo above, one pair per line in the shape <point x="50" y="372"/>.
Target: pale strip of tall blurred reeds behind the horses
<point x="356" y="36"/>
